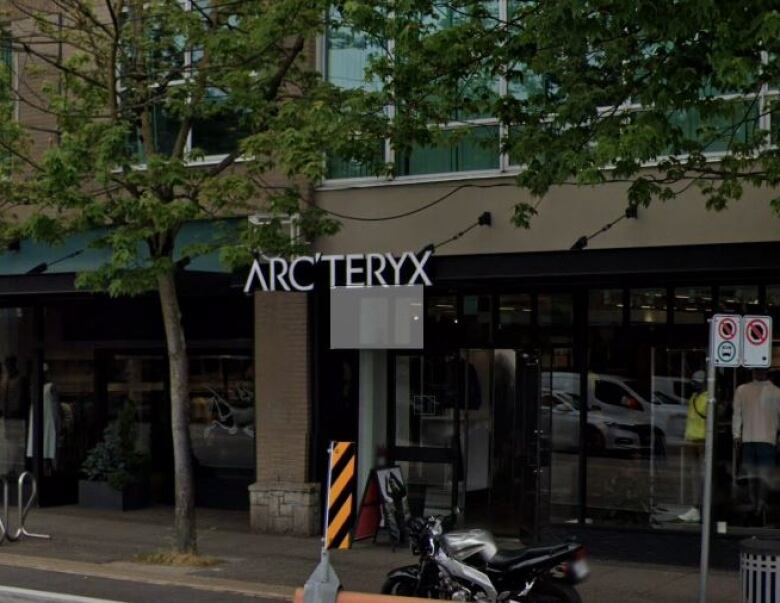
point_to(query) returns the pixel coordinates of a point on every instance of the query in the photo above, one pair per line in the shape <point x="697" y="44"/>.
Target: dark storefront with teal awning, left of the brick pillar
<point x="72" y="360"/>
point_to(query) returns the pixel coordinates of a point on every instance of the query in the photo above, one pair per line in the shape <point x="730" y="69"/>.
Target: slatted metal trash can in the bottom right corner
<point x="759" y="571"/>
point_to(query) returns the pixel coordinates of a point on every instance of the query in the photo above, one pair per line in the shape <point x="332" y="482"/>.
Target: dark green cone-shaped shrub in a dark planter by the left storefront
<point x="116" y="476"/>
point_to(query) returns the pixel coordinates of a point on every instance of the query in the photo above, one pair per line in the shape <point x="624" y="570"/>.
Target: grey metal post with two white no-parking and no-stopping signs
<point x="734" y="341"/>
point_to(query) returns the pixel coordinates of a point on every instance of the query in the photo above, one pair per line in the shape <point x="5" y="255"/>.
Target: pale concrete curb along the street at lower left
<point x="129" y="573"/>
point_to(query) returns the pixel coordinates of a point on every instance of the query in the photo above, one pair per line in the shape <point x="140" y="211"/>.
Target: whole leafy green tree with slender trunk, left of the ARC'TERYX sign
<point x="128" y="86"/>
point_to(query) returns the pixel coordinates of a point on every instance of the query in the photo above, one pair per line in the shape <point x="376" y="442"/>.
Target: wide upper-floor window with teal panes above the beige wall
<point x="735" y="122"/>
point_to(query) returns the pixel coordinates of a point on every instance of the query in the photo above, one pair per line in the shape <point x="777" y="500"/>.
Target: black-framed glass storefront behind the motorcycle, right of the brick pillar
<point x="553" y="389"/>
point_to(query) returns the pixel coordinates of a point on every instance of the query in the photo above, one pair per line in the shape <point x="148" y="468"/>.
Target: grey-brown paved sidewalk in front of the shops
<point x="103" y="544"/>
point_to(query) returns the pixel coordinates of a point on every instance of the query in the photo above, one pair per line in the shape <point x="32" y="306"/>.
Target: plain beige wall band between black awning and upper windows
<point x="565" y="214"/>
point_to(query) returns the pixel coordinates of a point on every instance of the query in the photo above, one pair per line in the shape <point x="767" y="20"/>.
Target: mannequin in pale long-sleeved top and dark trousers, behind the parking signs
<point x="754" y="427"/>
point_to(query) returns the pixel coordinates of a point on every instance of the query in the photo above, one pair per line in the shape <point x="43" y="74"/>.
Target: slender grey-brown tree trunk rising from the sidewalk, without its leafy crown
<point x="184" y="523"/>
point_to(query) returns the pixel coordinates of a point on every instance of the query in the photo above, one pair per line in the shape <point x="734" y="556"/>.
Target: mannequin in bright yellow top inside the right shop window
<point x="695" y="434"/>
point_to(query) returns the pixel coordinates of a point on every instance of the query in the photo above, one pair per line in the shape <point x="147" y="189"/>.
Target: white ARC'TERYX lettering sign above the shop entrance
<point x="352" y="269"/>
